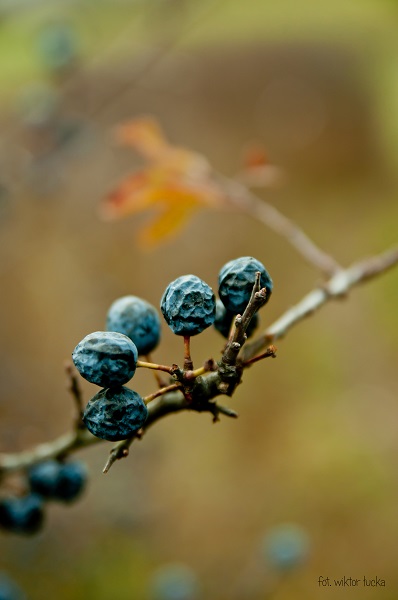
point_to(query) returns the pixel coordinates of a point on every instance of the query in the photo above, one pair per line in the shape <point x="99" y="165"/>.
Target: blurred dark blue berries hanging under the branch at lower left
<point x="48" y="480"/>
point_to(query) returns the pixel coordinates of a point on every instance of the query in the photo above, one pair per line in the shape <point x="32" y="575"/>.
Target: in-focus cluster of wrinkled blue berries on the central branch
<point x="109" y="358"/>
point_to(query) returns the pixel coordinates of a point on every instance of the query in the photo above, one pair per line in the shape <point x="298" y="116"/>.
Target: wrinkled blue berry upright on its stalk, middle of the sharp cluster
<point x="188" y="305"/>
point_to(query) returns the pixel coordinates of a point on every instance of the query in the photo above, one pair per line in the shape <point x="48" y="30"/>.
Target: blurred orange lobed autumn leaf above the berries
<point x="176" y="183"/>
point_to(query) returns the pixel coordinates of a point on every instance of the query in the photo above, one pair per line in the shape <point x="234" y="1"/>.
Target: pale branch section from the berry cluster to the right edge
<point x="337" y="287"/>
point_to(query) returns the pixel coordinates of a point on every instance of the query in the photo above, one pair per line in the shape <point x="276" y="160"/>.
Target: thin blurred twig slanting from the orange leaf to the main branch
<point x="243" y="199"/>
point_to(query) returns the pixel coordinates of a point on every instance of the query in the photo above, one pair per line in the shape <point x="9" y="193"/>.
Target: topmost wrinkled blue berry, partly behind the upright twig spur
<point x="236" y="280"/>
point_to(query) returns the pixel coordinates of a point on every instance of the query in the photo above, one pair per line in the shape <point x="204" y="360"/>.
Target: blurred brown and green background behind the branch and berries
<point x="305" y="482"/>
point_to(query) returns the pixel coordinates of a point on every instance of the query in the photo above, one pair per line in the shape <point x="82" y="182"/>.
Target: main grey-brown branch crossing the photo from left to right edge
<point x="212" y="383"/>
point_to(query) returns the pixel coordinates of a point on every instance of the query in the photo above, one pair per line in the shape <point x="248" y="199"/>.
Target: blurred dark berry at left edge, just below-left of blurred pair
<point x="23" y="515"/>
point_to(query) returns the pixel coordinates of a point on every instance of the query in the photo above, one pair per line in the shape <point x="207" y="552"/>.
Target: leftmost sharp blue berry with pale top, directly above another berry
<point x="106" y="358"/>
